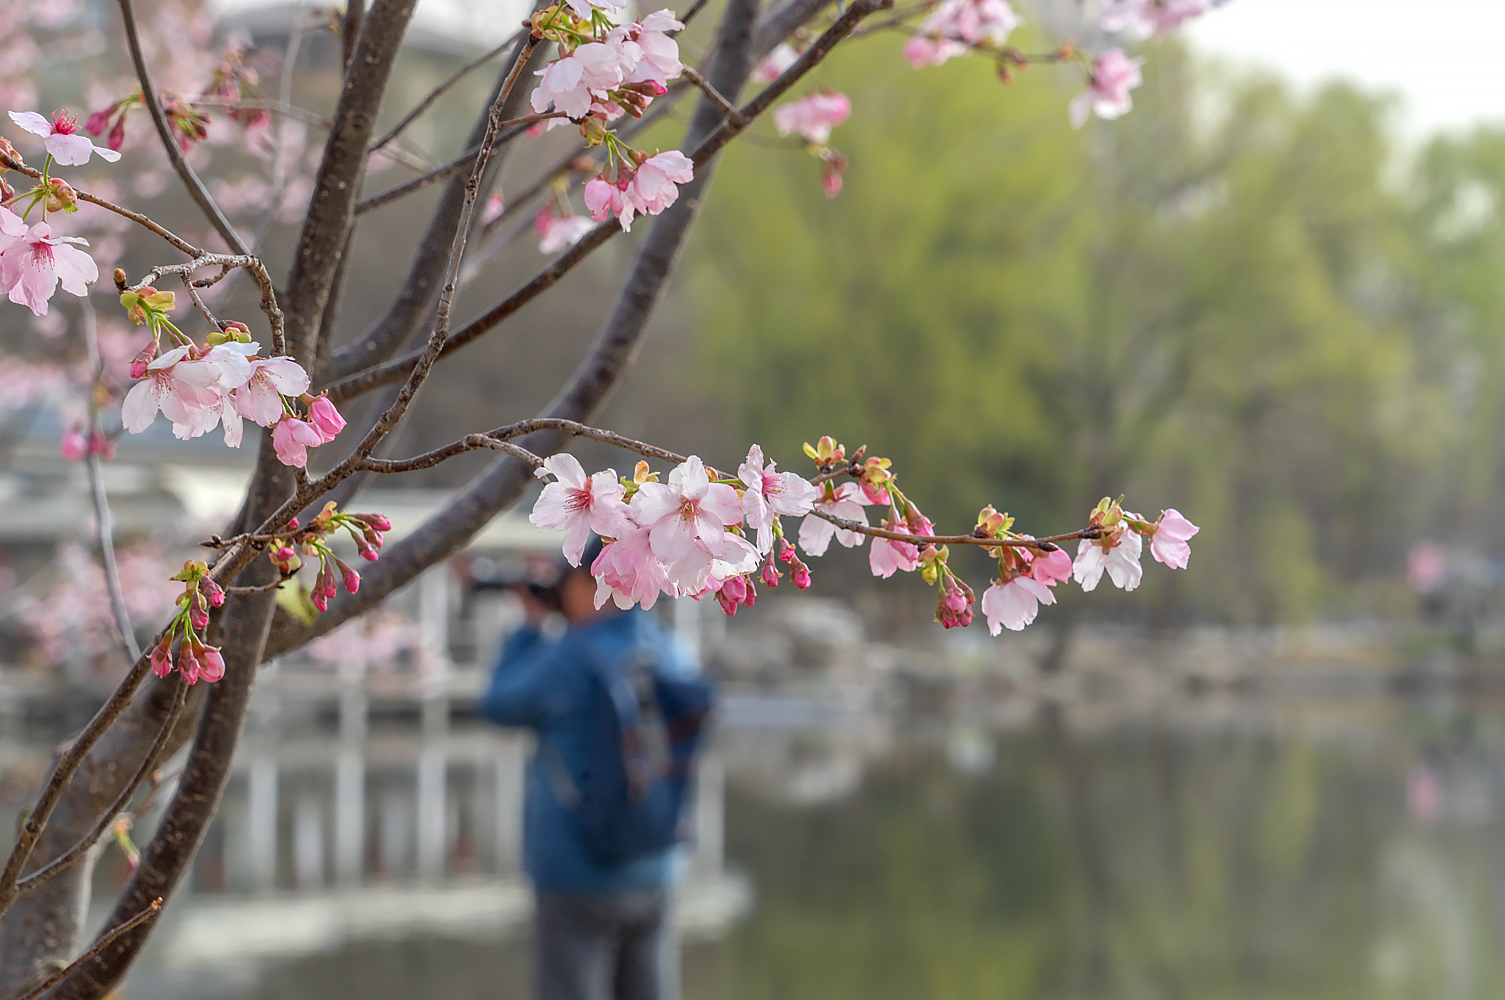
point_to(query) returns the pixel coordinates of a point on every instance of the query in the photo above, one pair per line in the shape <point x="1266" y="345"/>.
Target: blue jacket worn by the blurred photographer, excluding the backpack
<point x="544" y="686"/>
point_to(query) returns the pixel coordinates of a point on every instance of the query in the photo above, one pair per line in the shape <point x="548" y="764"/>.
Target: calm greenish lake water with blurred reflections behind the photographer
<point x="1310" y="849"/>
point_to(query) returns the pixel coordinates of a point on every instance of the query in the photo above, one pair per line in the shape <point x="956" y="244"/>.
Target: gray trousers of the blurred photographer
<point x="606" y="947"/>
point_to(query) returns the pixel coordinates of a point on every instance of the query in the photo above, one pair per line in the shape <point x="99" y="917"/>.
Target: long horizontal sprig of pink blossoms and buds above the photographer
<point x="702" y="532"/>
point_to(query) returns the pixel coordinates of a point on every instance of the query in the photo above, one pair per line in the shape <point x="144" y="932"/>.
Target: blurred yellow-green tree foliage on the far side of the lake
<point x="1224" y="302"/>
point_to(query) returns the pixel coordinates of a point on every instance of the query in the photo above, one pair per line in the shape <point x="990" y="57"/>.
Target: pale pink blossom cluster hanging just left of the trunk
<point x="219" y="385"/>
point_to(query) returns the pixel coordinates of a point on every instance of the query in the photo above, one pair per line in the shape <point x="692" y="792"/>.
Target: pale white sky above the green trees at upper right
<point x="1441" y="56"/>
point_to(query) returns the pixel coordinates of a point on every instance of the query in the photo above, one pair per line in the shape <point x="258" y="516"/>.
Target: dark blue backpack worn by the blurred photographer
<point x="630" y="796"/>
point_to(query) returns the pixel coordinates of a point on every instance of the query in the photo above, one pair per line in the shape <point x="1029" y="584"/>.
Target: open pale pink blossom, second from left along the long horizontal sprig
<point x="687" y="522"/>
